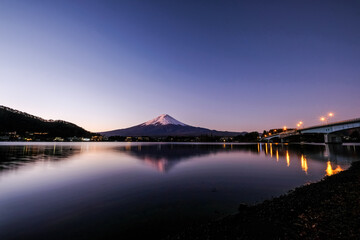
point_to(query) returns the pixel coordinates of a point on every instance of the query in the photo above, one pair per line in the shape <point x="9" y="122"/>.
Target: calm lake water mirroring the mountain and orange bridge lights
<point x="102" y="190"/>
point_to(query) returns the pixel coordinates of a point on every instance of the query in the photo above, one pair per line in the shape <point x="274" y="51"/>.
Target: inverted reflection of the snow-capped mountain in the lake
<point x="164" y="156"/>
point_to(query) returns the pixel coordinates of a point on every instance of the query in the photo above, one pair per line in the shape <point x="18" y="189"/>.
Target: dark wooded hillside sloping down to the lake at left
<point x="12" y="120"/>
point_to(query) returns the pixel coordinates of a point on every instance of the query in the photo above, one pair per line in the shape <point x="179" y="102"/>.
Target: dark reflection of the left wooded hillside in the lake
<point x="15" y="156"/>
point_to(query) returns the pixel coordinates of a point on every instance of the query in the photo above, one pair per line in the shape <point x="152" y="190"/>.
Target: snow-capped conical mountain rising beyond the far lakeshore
<point x="165" y="125"/>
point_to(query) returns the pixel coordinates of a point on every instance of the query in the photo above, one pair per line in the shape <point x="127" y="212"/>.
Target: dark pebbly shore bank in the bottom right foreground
<point x="329" y="209"/>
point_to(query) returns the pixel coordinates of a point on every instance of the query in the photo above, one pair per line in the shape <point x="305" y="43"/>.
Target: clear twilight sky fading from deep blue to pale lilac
<point x="225" y="65"/>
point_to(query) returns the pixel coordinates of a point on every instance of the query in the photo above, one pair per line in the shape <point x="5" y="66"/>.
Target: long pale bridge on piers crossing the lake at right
<point x="331" y="131"/>
